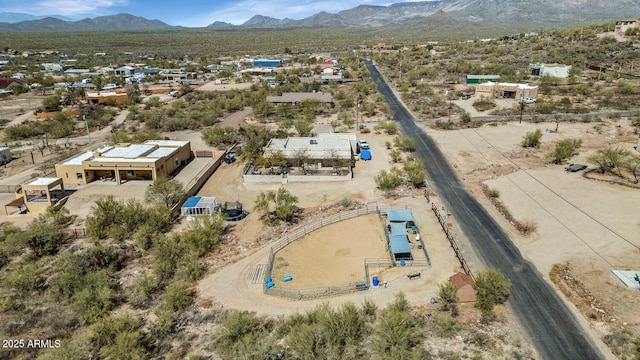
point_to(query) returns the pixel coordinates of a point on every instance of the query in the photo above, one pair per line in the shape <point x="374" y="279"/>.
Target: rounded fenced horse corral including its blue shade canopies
<point x="343" y="249"/>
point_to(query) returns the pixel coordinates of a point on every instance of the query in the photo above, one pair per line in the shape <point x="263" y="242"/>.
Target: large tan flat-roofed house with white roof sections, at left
<point x="125" y="162"/>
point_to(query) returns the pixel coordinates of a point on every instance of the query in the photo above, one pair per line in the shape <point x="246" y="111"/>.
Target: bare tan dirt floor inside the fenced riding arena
<point x="332" y="255"/>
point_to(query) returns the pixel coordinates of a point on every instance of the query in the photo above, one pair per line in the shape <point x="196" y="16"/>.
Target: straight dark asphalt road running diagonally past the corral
<point x="552" y="329"/>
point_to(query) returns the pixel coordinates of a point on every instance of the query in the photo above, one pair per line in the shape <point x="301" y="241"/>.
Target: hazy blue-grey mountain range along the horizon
<point x="480" y="12"/>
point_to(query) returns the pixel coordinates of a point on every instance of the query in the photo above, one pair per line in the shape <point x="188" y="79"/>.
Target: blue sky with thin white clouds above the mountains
<point x="192" y="13"/>
